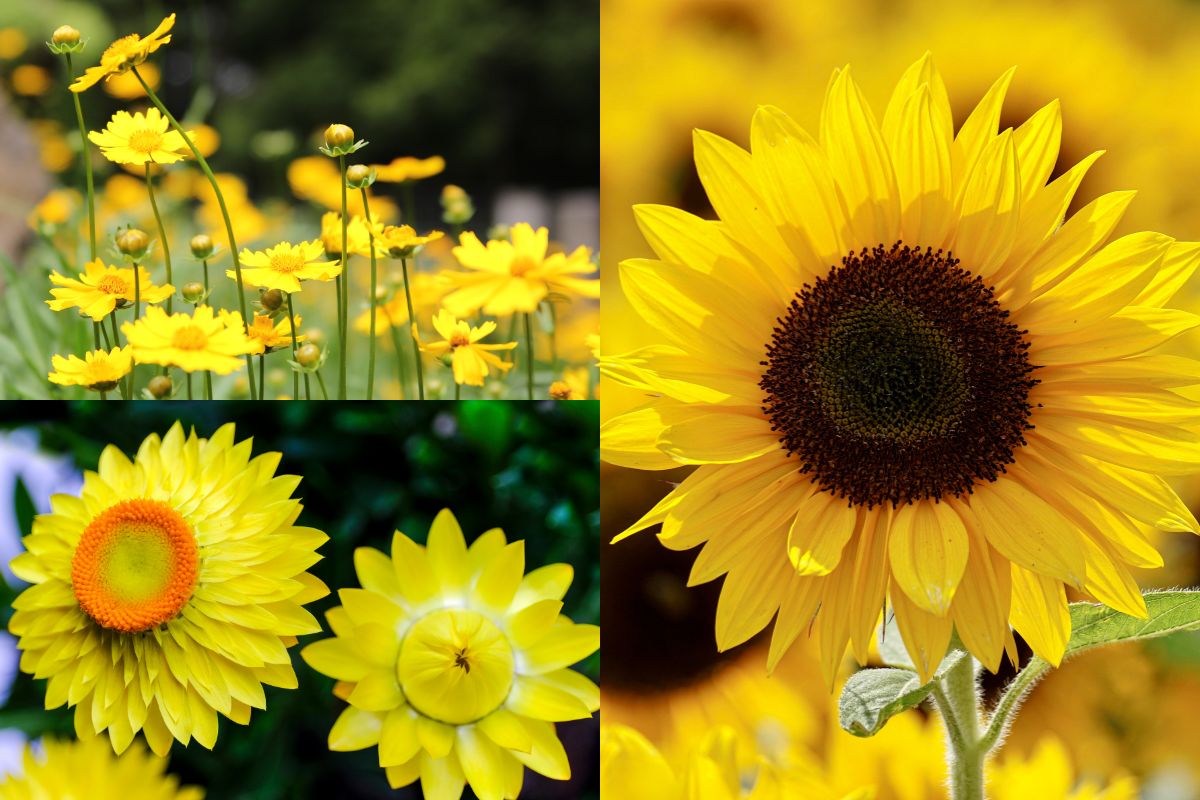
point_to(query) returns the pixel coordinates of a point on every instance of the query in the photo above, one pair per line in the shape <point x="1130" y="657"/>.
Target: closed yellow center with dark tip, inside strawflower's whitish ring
<point x="455" y="666"/>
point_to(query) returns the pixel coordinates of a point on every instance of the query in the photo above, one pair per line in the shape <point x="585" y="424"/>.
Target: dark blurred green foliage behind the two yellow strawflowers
<point x="368" y="468"/>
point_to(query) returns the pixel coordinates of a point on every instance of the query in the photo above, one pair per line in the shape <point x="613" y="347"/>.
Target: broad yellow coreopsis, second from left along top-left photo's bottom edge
<point x="202" y="341"/>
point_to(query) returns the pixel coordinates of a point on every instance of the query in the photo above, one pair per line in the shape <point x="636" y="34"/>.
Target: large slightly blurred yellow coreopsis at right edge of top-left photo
<point x="507" y="278"/>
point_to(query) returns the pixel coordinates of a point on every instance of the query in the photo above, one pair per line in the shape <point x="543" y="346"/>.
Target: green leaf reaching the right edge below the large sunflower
<point x="1094" y="625"/>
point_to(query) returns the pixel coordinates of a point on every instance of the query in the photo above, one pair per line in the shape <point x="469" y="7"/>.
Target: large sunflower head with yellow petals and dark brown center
<point x="907" y="378"/>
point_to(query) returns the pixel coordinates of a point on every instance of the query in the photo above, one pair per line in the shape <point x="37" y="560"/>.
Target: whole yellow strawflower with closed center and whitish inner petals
<point x="455" y="665"/>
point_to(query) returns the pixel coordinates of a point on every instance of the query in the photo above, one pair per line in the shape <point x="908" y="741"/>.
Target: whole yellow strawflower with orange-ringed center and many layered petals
<point x="170" y="591"/>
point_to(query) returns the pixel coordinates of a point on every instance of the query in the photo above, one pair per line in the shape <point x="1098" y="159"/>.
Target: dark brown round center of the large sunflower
<point x="898" y="377"/>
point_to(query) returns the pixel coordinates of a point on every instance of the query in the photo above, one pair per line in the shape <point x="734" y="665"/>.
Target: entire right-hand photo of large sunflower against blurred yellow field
<point x="817" y="584"/>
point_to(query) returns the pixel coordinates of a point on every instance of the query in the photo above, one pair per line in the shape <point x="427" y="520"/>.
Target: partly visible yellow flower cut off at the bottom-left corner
<point x="58" y="769"/>
